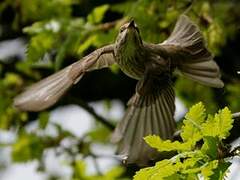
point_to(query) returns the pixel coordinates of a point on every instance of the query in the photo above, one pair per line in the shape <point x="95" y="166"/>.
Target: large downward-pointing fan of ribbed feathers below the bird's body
<point x="146" y="115"/>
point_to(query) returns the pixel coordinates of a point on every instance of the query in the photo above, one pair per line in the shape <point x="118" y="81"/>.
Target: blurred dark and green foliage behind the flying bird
<point x="55" y="33"/>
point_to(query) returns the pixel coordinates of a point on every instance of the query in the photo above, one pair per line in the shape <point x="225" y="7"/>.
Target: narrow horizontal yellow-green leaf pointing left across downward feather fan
<point x="161" y="145"/>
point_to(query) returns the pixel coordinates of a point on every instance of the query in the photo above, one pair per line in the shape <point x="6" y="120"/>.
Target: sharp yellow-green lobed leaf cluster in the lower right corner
<point x="202" y="152"/>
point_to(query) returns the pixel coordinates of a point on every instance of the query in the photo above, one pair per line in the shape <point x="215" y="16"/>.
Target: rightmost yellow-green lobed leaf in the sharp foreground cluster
<point x="220" y="125"/>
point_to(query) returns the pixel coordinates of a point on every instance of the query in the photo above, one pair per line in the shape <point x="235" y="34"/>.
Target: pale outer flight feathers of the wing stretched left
<point x="46" y="92"/>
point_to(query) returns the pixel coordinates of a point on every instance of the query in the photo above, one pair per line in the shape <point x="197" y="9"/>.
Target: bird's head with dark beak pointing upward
<point x="129" y="35"/>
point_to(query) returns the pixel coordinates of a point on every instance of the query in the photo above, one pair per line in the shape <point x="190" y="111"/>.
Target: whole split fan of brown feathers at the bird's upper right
<point x="191" y="55"/>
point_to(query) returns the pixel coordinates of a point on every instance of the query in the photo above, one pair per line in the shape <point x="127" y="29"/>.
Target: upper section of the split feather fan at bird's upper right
<point x="186" y="42"/>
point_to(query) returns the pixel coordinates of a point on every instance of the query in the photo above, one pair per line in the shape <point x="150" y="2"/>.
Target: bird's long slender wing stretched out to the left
<point x="47" y="92"/>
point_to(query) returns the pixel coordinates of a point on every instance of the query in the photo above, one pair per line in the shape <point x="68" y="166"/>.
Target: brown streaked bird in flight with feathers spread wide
<point x="150" y="111"/>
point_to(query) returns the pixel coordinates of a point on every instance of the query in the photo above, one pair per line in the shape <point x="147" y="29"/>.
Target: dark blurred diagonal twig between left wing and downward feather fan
<point x="90" y="110"/>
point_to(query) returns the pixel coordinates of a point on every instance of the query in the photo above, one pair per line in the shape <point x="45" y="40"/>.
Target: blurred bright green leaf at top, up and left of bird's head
<point x="97" y="14"/>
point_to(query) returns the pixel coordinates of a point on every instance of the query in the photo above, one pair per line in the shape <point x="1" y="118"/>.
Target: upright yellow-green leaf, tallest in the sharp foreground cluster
<point x="191" y="130"/>
